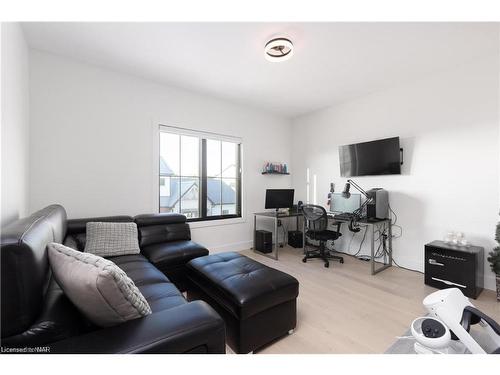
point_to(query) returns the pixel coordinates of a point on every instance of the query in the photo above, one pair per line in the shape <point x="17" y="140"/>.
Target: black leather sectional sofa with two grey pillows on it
<point x="36" y="313"/>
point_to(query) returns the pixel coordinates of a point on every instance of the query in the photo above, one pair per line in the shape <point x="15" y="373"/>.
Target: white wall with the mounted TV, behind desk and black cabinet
<point x="448" y="124"/>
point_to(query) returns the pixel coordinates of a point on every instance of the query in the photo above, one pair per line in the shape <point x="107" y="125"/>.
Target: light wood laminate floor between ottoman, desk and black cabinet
<point x="344" y="309"/>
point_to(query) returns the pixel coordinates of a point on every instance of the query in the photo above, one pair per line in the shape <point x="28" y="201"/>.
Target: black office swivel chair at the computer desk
<point x="316" y="222"/>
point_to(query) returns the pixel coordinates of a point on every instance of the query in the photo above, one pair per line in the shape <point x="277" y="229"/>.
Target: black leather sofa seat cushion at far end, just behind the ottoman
<point x="171" y="254"/>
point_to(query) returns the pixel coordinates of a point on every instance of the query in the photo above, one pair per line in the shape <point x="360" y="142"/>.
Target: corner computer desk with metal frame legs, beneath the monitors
<point x="370" y="225"/>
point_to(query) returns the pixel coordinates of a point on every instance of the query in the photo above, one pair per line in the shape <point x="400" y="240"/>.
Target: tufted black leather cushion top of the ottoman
<point x="243" y="286"/>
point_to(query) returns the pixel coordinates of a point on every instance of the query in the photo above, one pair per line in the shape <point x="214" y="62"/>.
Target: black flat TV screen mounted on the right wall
<point x="370" y="158"/>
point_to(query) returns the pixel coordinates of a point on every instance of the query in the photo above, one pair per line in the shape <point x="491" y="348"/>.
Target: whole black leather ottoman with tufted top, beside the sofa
<point x="257" y="303"/>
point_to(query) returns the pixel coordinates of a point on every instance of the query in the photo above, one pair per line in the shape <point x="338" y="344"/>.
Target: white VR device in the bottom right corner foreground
<point x="447" y="328"/>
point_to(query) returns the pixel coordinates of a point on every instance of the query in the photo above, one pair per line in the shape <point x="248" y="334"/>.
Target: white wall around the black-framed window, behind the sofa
<point x="92" y="146"/>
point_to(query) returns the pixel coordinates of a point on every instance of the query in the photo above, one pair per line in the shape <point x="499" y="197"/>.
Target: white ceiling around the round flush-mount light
<point x="332" y="62"/>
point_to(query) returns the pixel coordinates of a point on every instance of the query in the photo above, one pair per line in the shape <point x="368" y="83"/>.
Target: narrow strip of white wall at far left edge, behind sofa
<point x="15" y="123"/>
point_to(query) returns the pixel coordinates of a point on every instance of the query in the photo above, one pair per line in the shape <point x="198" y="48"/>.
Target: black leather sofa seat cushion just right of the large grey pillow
<point x="160" y="293"/>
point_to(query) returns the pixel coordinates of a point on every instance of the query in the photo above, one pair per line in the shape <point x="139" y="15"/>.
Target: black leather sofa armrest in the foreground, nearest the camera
<point x="192" y="327"/>
